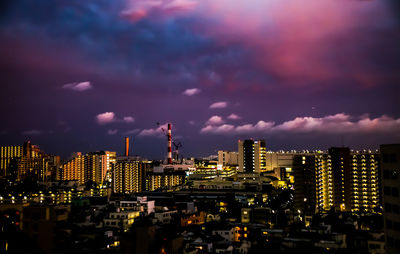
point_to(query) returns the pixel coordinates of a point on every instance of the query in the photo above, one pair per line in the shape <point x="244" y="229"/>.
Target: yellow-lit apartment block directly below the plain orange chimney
<point x="129" y="175"/>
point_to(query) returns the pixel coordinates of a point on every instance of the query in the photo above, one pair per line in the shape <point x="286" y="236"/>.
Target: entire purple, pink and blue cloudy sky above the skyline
<point x="81" y="75"/>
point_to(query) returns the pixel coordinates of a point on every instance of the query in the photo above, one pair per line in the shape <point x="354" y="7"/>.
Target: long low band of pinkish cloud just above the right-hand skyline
<point x="332" y="124"/>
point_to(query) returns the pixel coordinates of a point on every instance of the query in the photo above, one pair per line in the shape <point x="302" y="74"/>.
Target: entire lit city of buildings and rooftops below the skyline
<point x="322" y="201"/>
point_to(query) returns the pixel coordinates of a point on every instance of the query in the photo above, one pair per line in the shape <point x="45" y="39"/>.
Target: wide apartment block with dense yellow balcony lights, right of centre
<point x="344" y="180"/>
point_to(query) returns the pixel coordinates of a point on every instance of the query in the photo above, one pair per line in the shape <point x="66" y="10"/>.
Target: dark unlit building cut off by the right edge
<point x="390" y="165"/>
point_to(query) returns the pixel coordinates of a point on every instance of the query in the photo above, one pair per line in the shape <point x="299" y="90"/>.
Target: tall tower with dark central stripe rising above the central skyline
<point x="252" y="155"/>
